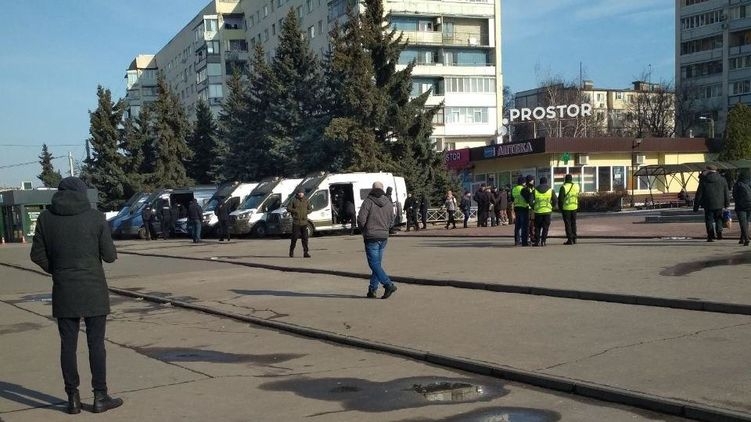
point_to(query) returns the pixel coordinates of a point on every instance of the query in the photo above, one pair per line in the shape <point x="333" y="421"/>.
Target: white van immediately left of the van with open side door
<point x="250" y="216"/>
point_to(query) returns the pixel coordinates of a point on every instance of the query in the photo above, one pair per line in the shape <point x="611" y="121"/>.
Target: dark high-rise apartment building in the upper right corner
<point x="712" y="60"/>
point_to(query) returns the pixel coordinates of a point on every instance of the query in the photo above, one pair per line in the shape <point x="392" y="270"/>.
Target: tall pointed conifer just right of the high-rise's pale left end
<point x="171" y="128"/>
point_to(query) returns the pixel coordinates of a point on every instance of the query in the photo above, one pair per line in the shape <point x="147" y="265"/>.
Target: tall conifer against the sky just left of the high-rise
<point x="104" y="167"/>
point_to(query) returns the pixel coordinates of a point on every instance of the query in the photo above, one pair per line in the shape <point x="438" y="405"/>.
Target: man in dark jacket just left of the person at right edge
<point x="712" y="195"/>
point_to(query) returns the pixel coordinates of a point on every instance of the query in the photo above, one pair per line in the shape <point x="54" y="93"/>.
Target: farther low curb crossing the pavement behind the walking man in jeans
<point x="657" y="302"/>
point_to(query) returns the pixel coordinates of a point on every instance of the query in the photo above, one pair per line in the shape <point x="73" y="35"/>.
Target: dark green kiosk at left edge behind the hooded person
<point x="19" y="210"/>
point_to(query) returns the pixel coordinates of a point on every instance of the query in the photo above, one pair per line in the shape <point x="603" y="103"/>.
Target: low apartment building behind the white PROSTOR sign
<point x="609" y="110"/>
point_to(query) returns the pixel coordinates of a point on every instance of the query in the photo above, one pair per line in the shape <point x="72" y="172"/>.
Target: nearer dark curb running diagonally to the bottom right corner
<point x="551" y="382"/>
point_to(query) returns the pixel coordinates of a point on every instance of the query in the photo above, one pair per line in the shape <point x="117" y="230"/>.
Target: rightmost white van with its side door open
<point x="328" y="194"/>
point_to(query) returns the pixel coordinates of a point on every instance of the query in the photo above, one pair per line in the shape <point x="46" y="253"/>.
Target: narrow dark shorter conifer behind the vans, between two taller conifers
<point x="203" y="144"/>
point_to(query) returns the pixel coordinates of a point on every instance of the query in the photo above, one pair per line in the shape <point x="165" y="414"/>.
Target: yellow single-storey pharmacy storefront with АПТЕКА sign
<point x="597" y="164"/>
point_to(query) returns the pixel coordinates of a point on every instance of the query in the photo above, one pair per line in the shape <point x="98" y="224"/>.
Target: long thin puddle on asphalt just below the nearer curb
<point x="170" y="354"/>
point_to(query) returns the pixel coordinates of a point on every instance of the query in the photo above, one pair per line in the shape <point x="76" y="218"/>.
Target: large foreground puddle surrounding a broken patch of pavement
<point x="402" y="393"/>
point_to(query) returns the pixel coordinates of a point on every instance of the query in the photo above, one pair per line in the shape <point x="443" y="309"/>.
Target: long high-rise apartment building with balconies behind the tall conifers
<point x="456" y="45"/>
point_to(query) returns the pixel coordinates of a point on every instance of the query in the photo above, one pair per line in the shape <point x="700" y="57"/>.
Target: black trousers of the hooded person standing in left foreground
<point x="95" y="329"/>
